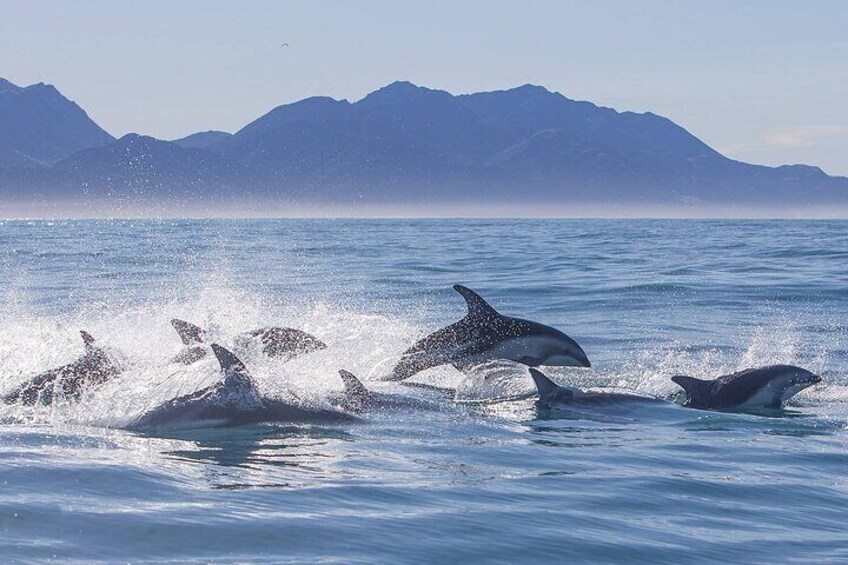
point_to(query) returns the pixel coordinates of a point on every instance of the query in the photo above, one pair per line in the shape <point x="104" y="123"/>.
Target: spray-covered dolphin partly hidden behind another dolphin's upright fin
<point x="277" y="342"/>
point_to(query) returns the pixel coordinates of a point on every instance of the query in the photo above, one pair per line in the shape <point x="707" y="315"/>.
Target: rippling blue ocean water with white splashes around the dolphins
<point x="468" y="476"/>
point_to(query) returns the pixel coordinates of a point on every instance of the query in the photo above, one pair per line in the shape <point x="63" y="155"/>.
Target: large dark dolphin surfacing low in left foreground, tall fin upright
<point x="233" y="401"/>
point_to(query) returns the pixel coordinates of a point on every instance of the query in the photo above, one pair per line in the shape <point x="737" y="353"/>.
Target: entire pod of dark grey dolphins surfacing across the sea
<point x="481" y="336"/>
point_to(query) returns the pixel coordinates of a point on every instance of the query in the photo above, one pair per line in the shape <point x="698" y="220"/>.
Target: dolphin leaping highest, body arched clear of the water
<point x="485" y="335"/>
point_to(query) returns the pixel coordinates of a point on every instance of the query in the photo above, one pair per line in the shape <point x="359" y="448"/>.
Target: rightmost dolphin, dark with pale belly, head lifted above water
<point x="763" y="387"/>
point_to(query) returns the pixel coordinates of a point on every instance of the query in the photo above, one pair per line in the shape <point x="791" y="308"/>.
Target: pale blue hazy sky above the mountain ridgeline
<point x="762" y="81"/>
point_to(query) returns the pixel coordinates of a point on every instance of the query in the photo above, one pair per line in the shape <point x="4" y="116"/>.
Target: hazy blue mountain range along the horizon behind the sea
<point x="402" y="144"/>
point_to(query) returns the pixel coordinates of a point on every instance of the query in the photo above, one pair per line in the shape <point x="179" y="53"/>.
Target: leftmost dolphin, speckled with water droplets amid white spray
<point x="95" y="367"/>
